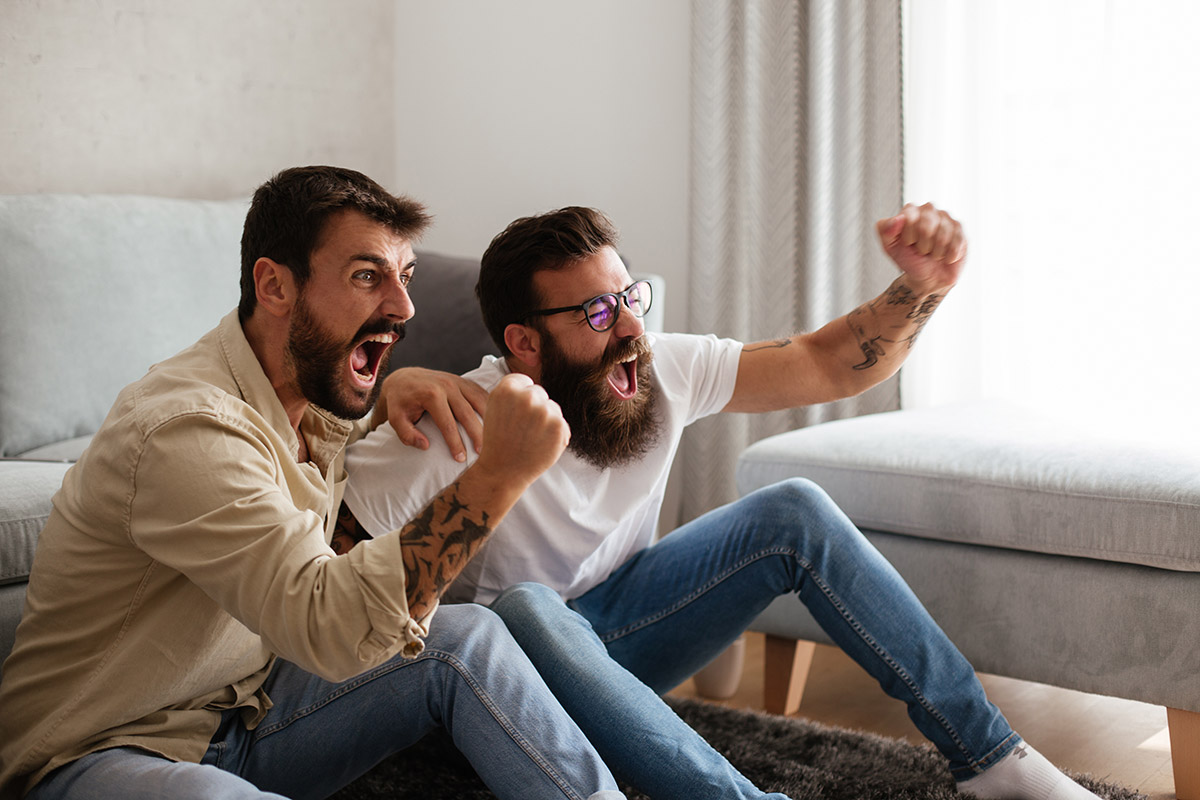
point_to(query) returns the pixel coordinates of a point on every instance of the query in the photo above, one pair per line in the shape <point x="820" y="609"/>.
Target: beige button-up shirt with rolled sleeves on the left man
<point x="185" y="551"/>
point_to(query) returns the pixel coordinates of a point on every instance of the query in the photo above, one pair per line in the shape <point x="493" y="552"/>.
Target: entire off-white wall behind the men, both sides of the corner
<point x="484" y="111"/>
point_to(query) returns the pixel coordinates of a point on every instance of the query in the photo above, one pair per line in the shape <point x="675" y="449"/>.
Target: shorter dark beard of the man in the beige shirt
<point x="320" y="362"/>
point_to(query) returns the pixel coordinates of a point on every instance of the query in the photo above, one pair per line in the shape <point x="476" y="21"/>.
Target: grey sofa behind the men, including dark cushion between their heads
<point x="98" y="288"/>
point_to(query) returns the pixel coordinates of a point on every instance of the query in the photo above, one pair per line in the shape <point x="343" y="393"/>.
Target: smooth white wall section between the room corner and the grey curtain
<point x="513" y="109"/>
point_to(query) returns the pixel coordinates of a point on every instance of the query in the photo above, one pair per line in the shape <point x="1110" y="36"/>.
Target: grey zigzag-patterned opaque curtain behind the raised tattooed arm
<point x="796" y="153"/>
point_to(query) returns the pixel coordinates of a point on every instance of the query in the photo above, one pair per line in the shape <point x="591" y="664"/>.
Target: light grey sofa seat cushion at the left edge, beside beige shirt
<point x="26" y="492"/>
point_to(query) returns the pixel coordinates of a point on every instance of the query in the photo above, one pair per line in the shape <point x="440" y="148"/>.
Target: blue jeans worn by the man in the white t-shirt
<point x="675" y="606"/>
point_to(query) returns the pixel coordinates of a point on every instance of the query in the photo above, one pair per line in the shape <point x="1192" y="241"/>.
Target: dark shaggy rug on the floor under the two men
<point x="800" y="759"/>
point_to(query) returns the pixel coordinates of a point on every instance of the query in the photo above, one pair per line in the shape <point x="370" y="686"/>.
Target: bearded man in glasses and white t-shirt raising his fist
<point x="609" y="619"/>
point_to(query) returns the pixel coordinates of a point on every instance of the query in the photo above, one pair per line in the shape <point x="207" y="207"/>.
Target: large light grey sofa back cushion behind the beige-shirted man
<point x="97" y="290"/>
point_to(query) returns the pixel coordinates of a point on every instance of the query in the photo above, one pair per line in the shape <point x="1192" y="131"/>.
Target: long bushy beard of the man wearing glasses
<point x="605" y="431"/>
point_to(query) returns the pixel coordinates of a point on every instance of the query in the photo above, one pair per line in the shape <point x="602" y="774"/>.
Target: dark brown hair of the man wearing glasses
<point x="548" y="242"/>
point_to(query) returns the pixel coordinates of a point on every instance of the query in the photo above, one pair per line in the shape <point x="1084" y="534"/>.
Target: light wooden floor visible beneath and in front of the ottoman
<point x="1121" y="742"/>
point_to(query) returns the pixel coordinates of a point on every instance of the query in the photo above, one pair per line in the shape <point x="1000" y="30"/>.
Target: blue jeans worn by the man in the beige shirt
<point x="319" y="737"/>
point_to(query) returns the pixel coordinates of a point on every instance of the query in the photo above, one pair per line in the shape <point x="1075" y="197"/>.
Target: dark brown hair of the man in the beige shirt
<point x="290" y="212"/>
